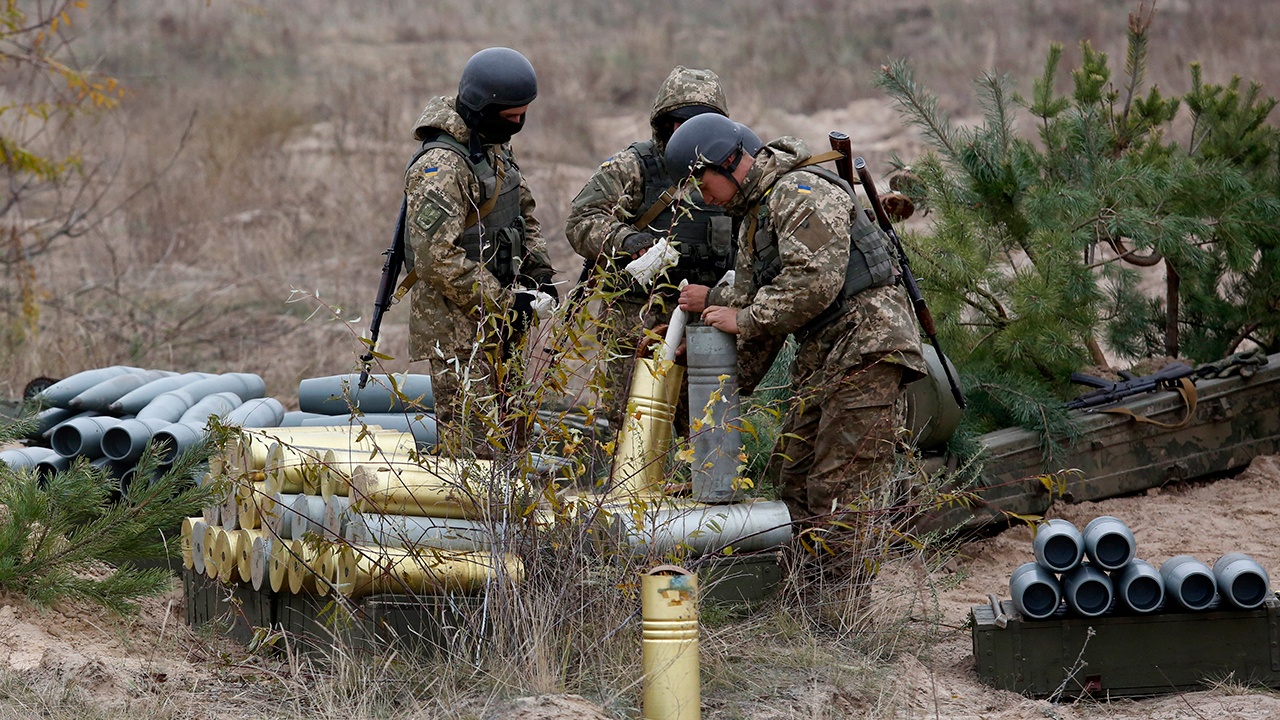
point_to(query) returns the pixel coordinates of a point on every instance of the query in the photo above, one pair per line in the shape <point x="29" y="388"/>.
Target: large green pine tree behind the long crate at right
<point x="1044" y="252"/>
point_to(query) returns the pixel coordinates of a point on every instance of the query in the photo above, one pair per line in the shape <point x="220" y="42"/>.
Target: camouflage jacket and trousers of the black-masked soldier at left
<point x="461" y="311"/>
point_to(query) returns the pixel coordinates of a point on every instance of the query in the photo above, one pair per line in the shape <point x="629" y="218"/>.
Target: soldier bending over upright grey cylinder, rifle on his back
<point x="810" y="265"/>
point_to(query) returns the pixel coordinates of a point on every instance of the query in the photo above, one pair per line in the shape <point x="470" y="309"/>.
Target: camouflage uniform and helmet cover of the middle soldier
<point x="605" y="216"/>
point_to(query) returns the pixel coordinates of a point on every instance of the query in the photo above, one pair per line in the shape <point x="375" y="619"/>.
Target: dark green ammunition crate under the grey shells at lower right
<point x="1127" y="655"/>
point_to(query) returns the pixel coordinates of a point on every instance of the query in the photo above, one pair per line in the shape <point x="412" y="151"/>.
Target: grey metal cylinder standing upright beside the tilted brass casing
<point x="714" y="413"/>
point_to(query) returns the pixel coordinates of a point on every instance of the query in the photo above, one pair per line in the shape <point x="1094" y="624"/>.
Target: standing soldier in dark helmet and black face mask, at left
<point x="478" y="253"/>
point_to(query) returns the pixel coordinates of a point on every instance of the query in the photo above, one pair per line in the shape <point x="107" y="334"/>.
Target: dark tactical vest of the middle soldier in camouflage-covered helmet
<point x="705" y="233"/>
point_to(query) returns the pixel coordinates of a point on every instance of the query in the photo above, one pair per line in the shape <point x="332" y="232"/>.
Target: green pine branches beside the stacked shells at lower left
<point x="76" y="536"/>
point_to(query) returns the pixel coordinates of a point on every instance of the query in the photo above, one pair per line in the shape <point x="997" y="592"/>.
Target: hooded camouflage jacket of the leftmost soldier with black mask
<point x="455" y="297"/>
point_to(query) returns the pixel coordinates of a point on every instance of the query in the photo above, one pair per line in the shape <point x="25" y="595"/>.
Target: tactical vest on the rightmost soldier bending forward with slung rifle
<point x="870" y="261"/>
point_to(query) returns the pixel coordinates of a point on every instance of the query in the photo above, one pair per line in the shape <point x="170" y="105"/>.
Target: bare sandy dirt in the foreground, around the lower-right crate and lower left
<point x="117" y="660"/>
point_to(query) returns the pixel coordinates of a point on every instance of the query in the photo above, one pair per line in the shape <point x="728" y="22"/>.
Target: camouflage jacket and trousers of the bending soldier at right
<point x="852" y="364"/>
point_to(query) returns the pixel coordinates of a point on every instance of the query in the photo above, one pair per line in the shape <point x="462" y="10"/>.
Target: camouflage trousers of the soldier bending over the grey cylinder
<point x="836" y="452"/>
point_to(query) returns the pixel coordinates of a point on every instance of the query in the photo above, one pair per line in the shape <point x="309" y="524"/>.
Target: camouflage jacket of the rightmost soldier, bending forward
<point x="811" y="221"/>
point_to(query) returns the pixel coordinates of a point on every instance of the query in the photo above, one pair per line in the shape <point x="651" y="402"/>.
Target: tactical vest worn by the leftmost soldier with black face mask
<point x="495" y="230"/>
